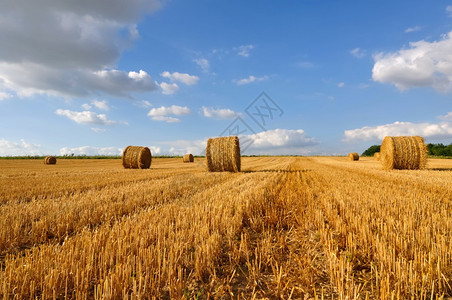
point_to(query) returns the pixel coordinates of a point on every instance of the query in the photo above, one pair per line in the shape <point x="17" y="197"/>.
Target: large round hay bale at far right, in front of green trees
<point x="403" y="152"/>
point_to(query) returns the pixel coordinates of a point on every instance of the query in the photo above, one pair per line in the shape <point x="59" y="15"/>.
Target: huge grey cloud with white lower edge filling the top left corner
<point x="77" y="50"/>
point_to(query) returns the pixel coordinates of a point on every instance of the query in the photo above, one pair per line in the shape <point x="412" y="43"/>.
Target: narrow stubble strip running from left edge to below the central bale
<point x="27" y="224"/>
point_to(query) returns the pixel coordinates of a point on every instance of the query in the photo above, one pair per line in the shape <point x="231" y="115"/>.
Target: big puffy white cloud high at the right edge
<point x="423" y="64"/>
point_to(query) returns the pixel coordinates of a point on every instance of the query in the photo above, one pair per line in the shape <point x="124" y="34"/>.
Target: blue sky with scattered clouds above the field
<point x="306" y="77"/>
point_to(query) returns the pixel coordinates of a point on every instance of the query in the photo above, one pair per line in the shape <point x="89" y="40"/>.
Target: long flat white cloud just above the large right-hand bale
<point x="368" y="133"/>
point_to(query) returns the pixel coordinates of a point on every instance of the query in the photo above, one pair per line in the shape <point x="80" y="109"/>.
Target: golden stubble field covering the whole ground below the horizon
<point x="285" y="227"/>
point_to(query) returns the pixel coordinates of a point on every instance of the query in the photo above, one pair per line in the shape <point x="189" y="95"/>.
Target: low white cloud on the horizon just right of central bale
<point x="280" y="141"/>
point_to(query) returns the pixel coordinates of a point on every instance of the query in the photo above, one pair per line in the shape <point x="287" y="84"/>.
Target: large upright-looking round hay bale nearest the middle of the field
<point x="223" y="154"/>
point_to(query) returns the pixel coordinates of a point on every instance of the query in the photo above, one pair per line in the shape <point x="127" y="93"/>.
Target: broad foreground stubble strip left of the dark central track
<point x="158" y="251"/>
